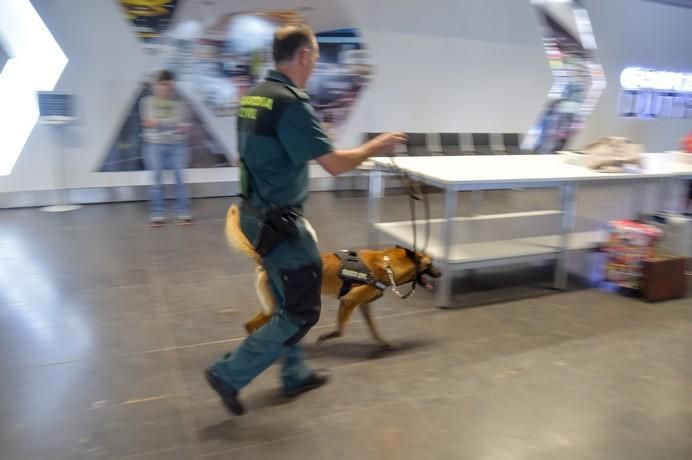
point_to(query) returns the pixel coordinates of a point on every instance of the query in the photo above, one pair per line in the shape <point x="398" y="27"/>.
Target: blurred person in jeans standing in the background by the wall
<point x="166" y="125"/>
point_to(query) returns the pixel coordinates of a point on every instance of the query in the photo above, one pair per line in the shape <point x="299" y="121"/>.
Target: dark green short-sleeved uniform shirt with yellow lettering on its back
<point x="278" y="134"/>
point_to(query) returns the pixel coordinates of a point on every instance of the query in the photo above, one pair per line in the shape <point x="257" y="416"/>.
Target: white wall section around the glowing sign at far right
<point x="646" y="34"/>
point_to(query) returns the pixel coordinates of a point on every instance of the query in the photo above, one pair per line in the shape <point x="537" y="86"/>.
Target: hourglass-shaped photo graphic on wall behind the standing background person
<point x="152" y="21"/>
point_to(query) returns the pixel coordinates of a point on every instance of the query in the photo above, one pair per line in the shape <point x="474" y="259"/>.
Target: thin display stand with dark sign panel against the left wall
<point x="56" y="110"/>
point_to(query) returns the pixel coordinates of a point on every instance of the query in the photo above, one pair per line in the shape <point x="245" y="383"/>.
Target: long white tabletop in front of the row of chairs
<point x="515" y="170"/>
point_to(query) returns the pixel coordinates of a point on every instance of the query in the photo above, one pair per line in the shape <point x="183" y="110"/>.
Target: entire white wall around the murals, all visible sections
<point x="447" y="65"/>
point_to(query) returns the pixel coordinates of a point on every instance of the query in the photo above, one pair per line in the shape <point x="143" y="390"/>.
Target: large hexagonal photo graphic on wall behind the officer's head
<point x="224" y="58"/>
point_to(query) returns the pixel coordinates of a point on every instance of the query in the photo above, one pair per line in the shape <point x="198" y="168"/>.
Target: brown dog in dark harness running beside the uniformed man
<point x="401" y="263"/>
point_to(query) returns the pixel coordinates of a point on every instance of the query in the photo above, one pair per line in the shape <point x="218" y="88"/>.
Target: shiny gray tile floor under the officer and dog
<point x="106" y="325"/>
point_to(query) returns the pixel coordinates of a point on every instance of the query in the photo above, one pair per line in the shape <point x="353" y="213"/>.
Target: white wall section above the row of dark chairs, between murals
<point x="457" y="66"/>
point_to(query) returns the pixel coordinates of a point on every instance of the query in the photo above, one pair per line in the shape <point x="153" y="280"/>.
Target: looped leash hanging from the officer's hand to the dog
<point x="415" y="191"/>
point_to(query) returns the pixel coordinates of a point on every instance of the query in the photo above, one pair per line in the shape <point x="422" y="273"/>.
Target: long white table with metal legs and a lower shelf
<point x="454" y="174"/>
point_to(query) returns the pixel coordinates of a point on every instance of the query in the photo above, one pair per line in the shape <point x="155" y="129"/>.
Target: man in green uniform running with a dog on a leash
<point x="278" y="134"/>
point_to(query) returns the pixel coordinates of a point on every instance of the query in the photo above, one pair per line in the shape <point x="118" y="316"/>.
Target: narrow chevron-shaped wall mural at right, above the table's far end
<point x="578" y="78"/>
